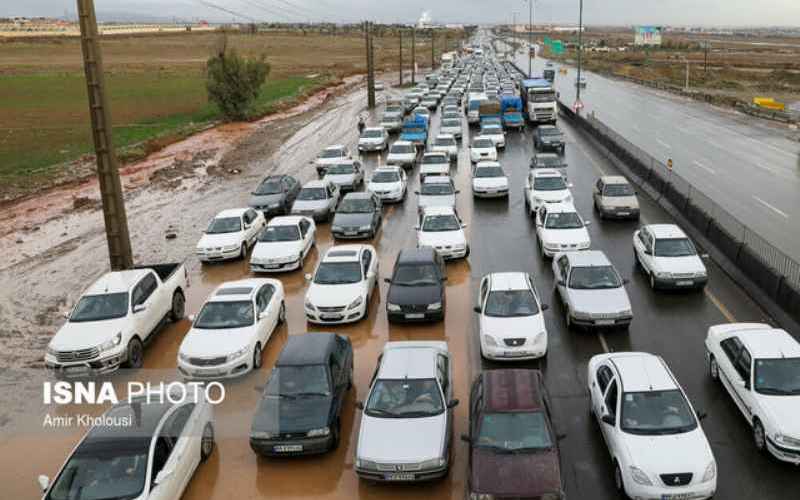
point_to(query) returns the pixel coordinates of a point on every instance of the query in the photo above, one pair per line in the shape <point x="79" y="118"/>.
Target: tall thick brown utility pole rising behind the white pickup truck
<point x="116" y="221"/>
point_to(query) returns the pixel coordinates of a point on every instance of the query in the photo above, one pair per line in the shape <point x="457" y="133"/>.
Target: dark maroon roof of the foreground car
<point x="512" y="390"/>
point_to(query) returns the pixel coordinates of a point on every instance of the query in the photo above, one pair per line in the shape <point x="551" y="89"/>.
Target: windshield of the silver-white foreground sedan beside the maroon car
<point x="408" y="398"/>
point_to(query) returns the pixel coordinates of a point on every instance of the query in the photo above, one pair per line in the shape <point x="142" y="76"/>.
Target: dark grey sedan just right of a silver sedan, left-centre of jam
<point x="358" y="216"/>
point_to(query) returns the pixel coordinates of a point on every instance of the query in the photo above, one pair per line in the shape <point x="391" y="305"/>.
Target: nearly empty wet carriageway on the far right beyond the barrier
<point x="748" y="166"/>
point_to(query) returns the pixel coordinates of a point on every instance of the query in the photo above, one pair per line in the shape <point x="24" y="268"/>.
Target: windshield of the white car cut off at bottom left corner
<point x="100" y="470"/>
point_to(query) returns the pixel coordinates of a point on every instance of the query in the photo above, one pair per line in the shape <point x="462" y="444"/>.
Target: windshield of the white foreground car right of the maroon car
<point x="656" y="412"/>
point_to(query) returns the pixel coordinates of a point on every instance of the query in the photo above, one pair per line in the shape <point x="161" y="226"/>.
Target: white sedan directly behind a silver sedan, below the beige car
<point x="559" y="228"/>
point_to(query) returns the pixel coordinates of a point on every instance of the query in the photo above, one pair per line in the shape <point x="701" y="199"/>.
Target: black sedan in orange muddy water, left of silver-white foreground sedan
<point x="300" y="408"/>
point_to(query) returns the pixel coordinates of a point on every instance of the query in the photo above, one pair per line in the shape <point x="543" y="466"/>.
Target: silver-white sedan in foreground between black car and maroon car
<point x="407" y="418"/>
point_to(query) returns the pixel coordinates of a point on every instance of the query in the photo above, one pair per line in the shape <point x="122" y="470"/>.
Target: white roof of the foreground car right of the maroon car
<point x="642" y="372"/>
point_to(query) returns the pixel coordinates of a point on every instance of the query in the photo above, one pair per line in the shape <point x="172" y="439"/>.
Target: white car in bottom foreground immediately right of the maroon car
<point x="657" y="446"/>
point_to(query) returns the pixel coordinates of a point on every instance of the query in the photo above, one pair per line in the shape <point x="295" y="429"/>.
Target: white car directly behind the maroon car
<point x="511" y="321"/>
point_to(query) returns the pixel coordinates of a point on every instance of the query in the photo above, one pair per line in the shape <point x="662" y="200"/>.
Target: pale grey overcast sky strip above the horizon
<point x="618" y="12"/>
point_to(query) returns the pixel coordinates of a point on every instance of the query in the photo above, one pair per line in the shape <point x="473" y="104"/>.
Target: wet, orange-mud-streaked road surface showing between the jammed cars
<point x="502" y="238"/>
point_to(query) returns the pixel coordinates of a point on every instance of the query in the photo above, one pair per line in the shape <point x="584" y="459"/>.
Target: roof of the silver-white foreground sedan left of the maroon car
<point x="413" y="360"/>
